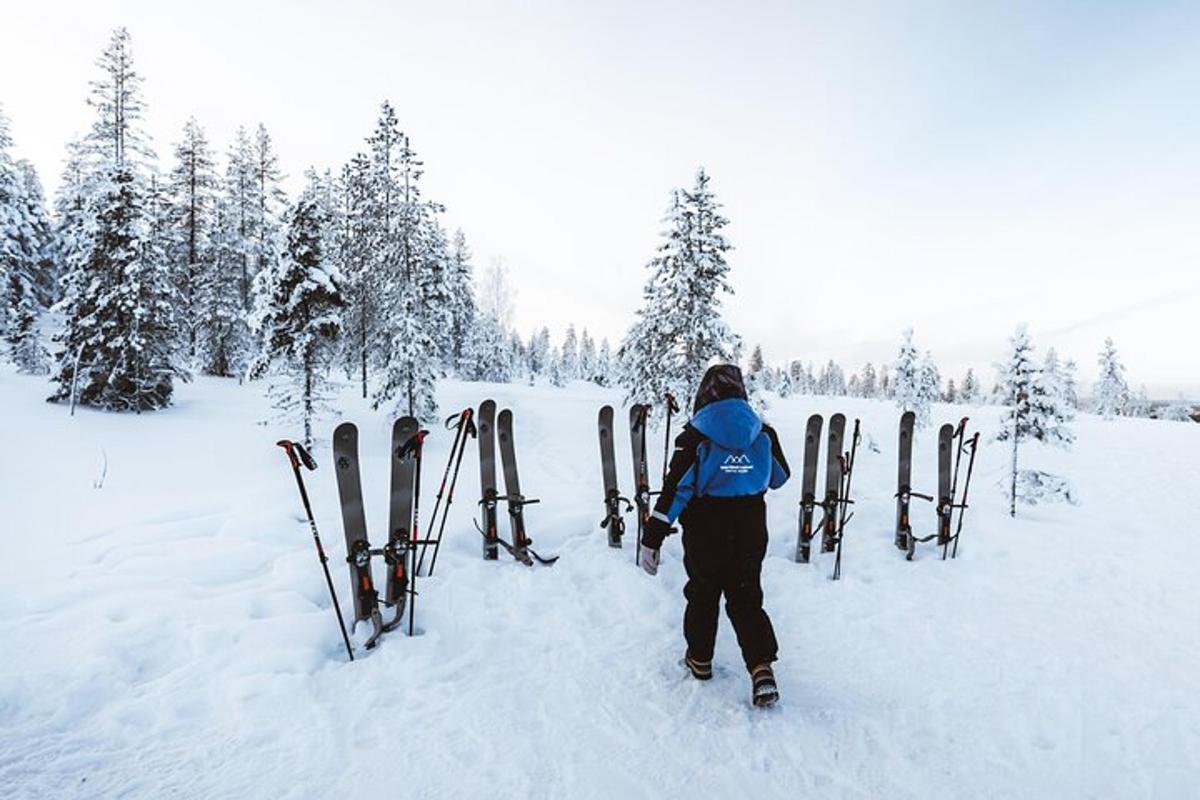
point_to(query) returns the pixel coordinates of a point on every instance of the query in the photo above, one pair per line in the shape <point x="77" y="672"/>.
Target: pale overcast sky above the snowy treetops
<point x="955" y="167"/>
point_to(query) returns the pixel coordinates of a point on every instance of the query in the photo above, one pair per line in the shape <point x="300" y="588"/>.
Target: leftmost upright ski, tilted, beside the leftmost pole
<point x="358" y="549"/>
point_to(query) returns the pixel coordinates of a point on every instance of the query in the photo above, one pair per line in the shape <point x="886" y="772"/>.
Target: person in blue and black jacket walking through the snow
<point x="724" y="462"/>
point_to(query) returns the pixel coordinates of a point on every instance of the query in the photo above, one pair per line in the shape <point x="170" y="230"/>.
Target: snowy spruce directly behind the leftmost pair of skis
<point x="304" y="316"/>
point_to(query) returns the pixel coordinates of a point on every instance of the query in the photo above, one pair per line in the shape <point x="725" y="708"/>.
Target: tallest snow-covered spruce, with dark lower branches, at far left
<point x="119" y="335"/>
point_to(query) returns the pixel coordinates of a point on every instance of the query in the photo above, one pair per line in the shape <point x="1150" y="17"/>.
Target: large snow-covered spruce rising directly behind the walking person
<point x="680" y="329"/>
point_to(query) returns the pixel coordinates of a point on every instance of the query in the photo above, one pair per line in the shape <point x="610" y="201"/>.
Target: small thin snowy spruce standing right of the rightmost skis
<point x="1037" y="412"/>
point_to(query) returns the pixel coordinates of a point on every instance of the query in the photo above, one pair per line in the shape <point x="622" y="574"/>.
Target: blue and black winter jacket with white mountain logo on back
<point x="725" y="452"/>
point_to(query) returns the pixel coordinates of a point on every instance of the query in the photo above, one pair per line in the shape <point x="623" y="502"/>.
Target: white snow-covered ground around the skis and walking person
<point x="169" y="635"/>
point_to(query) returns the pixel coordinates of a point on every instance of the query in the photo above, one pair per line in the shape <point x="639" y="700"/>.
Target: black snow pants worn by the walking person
<point x="724" y="544"/>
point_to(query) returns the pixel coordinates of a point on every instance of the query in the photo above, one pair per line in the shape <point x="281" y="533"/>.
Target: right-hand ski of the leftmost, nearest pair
<point x="400" y="516"/>
